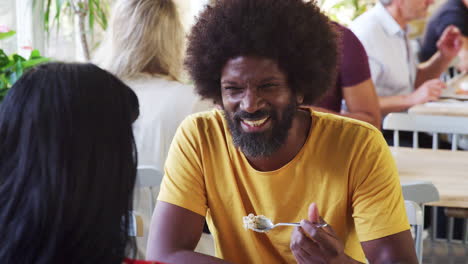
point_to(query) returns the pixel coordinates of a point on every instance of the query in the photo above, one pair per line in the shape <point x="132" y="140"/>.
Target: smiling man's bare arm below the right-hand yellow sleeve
<point x="397" y="248"/>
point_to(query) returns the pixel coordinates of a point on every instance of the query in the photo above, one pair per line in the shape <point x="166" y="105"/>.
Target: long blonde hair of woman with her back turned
<point x="144" y="36"/>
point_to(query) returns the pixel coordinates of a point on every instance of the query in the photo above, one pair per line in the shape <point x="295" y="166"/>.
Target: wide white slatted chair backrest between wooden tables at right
<point x="454" y="125"/>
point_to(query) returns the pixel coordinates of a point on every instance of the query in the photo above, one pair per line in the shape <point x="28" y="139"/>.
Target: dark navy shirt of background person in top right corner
<point x="453" y="12"/>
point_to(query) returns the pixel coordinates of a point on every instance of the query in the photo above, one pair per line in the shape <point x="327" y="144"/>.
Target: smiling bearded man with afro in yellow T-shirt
<point x="264" y="153"/>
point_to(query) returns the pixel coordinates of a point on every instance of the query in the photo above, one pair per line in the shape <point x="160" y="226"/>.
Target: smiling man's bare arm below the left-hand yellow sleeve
<point x="174" y="234"/>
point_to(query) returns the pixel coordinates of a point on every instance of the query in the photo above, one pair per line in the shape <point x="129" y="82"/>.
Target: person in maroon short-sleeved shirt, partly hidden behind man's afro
<point x="353" y="84"/>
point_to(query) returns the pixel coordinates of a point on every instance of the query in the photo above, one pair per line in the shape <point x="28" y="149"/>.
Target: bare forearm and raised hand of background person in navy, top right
<point x="448" y="46"/>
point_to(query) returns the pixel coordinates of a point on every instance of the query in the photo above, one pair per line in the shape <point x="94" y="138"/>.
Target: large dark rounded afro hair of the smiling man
<point x="293" y="33"/>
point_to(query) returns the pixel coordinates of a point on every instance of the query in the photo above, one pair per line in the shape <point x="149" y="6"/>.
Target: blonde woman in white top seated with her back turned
<point x="145" y="48"/>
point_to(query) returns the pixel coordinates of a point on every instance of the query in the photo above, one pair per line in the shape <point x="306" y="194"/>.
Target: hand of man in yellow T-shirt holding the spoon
<point x="311" y="243"/>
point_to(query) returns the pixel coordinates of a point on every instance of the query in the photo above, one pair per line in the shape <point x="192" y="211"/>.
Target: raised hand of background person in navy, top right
<point x="450" y="42"/>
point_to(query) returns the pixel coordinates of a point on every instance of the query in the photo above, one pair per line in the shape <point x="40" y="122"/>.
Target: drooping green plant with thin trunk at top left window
<point x="95" y="11"/>
